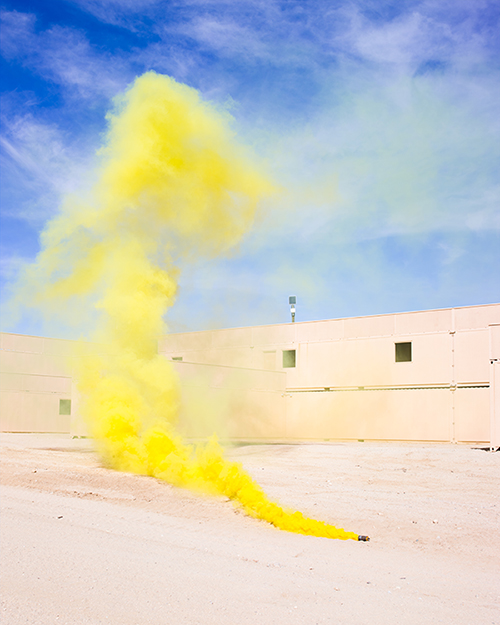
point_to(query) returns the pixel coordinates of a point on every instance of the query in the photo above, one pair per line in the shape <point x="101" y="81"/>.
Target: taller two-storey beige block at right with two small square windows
<point x="346" y="383"/>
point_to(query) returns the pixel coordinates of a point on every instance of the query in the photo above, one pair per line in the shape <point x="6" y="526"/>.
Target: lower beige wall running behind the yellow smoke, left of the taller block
<point x="234" y="403"/>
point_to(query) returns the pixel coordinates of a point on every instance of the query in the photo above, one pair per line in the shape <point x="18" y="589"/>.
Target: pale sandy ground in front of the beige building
<point x="81" y="544"/>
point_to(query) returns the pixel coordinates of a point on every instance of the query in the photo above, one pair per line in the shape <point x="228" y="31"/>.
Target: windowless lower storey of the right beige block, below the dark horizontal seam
<point x="429" y="414"/>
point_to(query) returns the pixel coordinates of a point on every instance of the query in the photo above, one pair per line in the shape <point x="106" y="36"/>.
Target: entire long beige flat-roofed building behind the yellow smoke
<point x="420" y="376"/>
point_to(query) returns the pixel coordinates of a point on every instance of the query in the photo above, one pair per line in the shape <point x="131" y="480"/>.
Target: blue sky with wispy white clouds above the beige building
<point x="379" y="120"/>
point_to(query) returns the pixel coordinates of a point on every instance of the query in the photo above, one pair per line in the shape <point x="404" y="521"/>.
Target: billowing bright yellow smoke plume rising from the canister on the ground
<point x="172" y="182"/>
